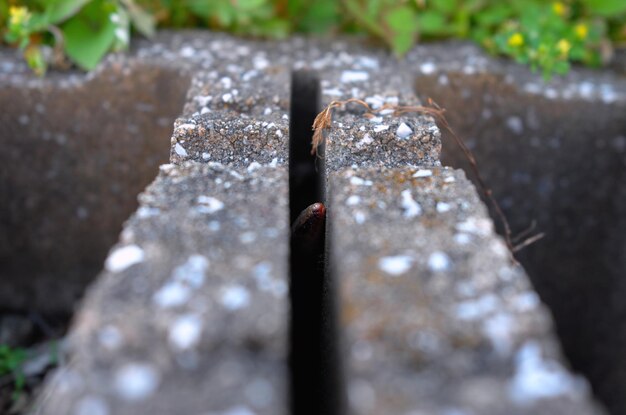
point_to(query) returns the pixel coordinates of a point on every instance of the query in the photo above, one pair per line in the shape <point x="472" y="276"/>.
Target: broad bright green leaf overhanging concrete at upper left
<point x="89" y="35"/>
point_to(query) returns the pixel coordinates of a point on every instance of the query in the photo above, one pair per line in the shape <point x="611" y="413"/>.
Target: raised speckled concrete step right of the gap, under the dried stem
<point x="377" y="79"/>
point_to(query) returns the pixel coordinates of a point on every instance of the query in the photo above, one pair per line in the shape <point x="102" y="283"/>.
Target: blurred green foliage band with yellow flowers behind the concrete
<point x="546" y="35"/>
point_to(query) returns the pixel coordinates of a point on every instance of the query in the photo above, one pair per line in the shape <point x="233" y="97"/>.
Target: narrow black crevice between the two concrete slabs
<point x="311" y="340"/>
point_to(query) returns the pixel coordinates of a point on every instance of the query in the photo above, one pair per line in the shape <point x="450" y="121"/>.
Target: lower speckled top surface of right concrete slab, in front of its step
<point x="435" y="316"/>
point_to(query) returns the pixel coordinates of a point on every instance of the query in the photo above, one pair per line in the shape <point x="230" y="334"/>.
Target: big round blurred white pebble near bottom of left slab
<point x="136" y="381"/>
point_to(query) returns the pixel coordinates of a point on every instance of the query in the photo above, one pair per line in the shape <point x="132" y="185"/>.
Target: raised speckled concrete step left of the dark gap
<point x="238" y="112"/>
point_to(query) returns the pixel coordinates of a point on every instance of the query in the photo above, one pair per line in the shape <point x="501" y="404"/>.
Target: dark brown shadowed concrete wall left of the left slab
<point x="77" y="149"/>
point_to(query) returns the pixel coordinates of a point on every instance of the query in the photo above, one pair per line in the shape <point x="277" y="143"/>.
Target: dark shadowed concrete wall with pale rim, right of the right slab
<point x="555" y="154"/>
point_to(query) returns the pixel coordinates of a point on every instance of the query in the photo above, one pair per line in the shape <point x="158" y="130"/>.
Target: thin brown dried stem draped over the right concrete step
<point x="323" y="123"/>
